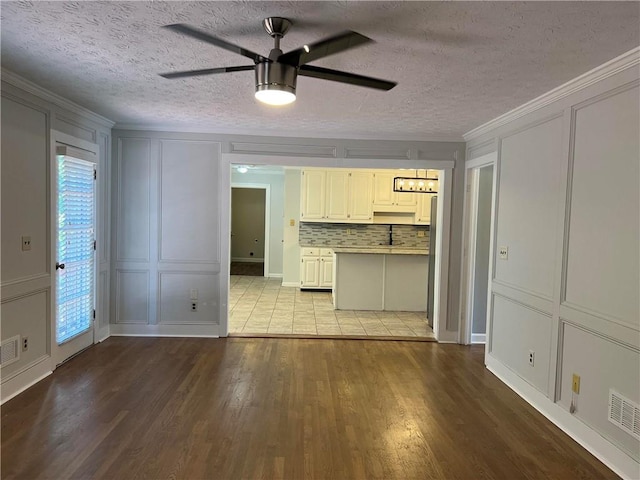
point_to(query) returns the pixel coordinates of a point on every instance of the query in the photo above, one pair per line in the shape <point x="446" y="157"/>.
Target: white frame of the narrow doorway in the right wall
<point x="470" y="223"/>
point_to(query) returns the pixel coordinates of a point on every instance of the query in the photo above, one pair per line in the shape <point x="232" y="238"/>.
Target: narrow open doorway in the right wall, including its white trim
<point x="479" y="208"/>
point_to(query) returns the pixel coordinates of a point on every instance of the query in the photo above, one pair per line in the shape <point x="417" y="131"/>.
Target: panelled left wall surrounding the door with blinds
<point x="29" y="114"/>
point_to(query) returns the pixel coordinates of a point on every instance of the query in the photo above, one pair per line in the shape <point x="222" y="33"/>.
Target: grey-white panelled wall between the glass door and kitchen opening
<point x="166" y="235"/>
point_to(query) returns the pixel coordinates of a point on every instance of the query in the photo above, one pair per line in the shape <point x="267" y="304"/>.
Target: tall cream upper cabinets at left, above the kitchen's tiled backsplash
<point x="336" y="195"/>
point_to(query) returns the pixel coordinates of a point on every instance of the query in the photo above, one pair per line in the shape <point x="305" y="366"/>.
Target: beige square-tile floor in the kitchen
<point x="260" y="305"/>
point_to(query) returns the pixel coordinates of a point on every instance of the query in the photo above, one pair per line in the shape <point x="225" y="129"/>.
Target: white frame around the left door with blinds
<point x="65" y="351"/>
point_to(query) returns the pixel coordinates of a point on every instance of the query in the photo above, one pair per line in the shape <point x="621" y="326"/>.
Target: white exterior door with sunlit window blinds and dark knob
<point x="75" y="266"/>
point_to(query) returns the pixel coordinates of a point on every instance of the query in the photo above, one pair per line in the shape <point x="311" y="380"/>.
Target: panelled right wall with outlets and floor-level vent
<point x="568" y="209"/>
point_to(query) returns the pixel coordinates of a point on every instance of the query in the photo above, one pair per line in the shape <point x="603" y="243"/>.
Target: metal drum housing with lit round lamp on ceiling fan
<point x="275" y="83"/>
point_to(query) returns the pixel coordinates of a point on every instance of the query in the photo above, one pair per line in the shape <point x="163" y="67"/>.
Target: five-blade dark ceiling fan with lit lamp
<point x="276" y="74"/>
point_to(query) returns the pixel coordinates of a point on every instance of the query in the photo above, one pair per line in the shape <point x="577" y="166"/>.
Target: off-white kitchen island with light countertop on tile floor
<point x="391" y="278"/>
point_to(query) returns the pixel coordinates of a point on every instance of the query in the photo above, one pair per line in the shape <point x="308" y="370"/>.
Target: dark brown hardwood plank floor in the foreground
<point x="155" y="408"/>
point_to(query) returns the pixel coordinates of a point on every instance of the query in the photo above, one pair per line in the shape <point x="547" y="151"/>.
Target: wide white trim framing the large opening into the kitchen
<point x="441" y="288"/>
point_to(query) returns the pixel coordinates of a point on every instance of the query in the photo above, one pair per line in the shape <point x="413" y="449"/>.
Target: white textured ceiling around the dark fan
<point x="457" y="64"/>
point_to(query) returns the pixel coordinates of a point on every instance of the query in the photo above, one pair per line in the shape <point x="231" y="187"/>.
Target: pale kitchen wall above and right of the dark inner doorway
<point x="275" y="180"/>
